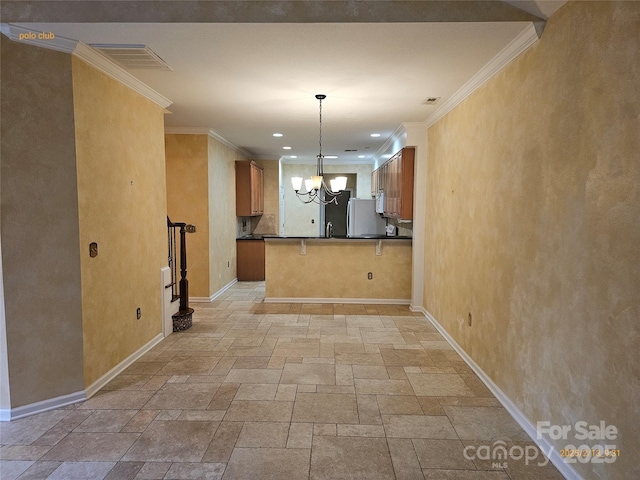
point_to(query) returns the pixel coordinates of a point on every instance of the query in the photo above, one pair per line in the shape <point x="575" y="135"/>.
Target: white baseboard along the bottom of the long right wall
<point x="564" y="468"/>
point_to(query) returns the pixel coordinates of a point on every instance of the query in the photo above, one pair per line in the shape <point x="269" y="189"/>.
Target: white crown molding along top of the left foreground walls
<point x="88" y="55"/>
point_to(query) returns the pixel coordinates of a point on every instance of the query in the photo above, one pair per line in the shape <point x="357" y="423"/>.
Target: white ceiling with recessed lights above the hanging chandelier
<point x="246" y="81"/>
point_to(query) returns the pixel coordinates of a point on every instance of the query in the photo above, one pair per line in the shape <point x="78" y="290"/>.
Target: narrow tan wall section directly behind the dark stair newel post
<point x="188" y="201"/>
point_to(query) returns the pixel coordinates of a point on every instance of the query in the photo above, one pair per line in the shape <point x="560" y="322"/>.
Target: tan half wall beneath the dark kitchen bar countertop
<point x="338" y="269"/>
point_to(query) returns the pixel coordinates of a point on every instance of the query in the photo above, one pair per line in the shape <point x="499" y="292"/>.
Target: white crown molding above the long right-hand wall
<point x="523" y="41"/>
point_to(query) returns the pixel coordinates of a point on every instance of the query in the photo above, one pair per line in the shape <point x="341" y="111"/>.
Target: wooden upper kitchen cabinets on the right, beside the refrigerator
<point x="394" y="179"/>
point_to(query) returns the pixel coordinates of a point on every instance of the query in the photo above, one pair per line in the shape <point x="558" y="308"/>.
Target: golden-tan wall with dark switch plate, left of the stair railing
<point x="122" y="198"/>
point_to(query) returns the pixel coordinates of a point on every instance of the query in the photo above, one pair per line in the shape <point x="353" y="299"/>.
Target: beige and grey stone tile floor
<point x="281" y="391"/>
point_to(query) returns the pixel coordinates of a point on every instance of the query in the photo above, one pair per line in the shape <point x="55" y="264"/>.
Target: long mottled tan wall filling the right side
<point x="533" y="226"/>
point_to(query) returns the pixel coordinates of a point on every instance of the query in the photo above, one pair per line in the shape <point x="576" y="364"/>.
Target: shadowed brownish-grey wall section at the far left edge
<point x="39" y="222"/>
